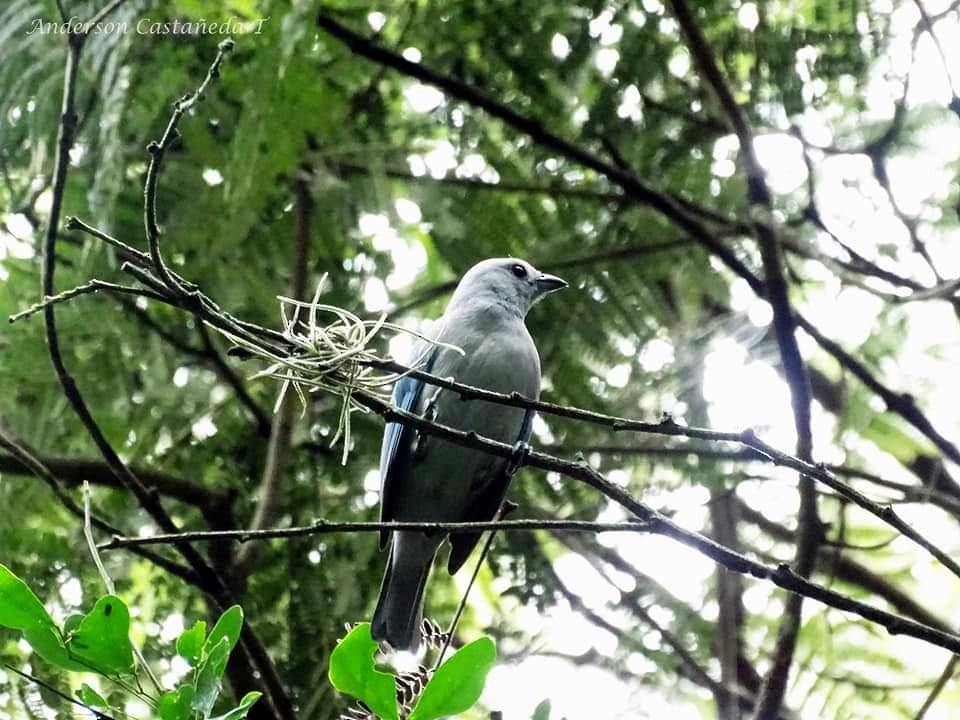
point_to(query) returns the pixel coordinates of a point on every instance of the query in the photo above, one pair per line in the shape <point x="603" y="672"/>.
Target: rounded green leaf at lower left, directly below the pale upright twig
<point x="102" y="640"/>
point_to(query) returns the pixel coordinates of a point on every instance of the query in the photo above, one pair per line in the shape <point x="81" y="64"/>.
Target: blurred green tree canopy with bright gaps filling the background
<point x="756" y="207"/>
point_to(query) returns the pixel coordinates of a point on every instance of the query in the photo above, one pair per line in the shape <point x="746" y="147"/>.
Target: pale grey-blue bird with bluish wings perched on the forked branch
<point x="425" y="479"/>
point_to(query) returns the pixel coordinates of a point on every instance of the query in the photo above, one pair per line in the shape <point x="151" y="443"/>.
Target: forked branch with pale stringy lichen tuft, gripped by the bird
<point x="324" y="348"/>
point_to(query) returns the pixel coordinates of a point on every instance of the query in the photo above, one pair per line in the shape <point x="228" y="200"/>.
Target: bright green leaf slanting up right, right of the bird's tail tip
<point x="458" y="683"/>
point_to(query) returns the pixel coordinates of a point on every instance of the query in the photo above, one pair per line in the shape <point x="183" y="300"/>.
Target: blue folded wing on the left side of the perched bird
<point x="398" y="439"/>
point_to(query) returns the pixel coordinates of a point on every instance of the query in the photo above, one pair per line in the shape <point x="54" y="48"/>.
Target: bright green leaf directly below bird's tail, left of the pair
<point x="352" y="672"/>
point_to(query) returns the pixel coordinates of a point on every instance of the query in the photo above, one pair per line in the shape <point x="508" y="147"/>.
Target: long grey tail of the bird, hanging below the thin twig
<point x="400" y="607"/>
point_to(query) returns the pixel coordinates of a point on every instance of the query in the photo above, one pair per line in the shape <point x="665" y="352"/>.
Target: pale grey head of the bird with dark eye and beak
<point x="511" y="283"/>
